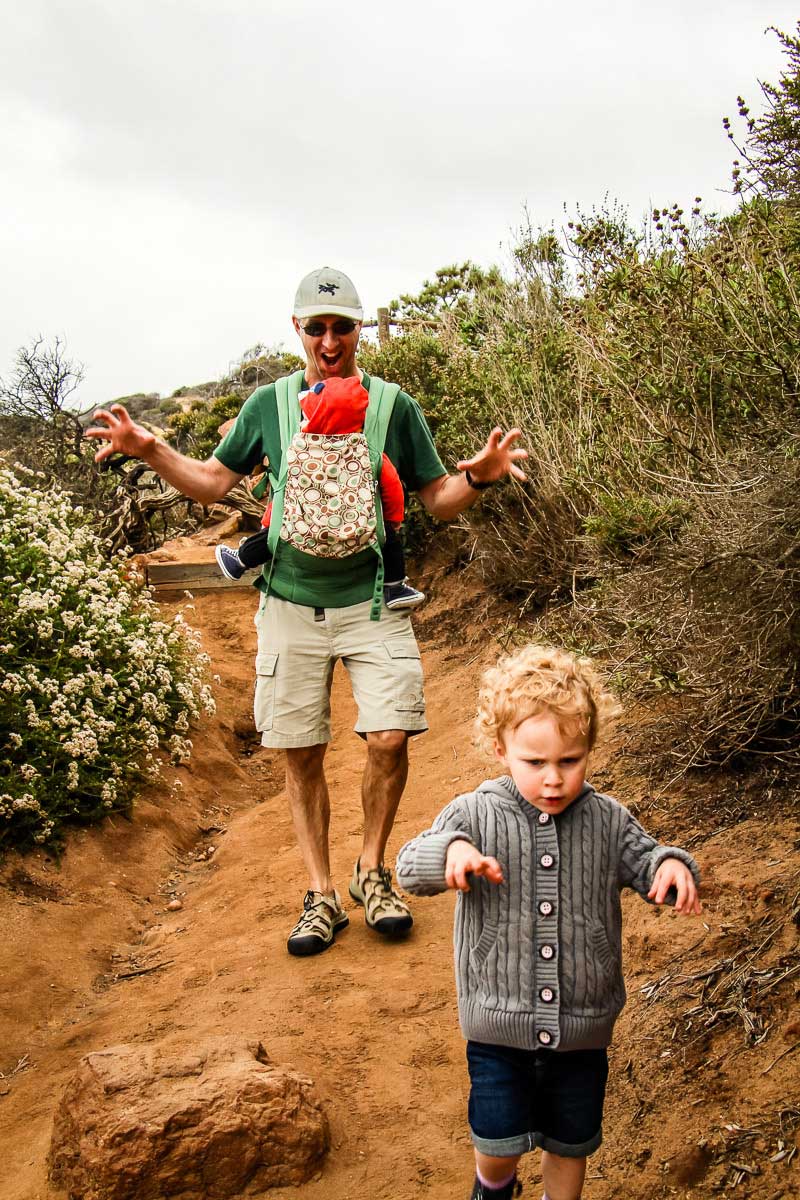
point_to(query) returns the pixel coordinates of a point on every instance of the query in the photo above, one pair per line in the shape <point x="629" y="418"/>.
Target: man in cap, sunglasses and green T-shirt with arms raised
<point x="317" y="611"/>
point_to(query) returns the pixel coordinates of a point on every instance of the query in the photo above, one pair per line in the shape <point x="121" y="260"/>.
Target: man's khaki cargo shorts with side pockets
<point x="298" y="650"/>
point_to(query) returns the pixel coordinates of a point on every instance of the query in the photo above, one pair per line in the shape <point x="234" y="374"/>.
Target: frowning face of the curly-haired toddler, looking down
<point x="548" y="766"/>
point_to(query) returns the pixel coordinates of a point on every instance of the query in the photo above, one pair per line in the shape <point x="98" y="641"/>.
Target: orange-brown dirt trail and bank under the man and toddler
<point x="91" y="957"/>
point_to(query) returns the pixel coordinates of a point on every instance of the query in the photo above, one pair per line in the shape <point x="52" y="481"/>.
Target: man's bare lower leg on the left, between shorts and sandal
<point x="311" y="813"/>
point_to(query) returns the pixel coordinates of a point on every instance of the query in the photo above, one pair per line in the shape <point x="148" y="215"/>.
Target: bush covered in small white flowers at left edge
<point x="93" y="682"/>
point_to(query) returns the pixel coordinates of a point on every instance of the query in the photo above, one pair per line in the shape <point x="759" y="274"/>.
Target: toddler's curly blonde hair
<point x="543" y="680"/>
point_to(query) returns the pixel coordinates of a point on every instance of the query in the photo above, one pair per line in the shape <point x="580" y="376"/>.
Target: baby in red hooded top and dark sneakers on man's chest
<point x="339" y="406"/>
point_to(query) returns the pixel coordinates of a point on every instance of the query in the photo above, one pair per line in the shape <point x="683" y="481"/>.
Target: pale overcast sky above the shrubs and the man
<point x="172" y="169"/>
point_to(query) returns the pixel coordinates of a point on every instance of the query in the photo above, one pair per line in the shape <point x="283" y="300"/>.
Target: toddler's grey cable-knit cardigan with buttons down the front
<point x="539" y="958"/>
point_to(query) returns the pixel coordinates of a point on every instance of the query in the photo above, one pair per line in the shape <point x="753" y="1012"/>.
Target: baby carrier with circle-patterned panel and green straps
<point x="326" y="495"/>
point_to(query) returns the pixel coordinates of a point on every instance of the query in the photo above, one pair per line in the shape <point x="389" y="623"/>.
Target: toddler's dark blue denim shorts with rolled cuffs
<point x="526" y="1099"/>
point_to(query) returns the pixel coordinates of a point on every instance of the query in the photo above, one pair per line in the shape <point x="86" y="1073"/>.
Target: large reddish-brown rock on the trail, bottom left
<point x="146" y="1124"/>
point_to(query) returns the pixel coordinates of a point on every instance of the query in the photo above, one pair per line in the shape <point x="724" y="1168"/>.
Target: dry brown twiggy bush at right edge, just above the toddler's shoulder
<point x="717" y="617"/>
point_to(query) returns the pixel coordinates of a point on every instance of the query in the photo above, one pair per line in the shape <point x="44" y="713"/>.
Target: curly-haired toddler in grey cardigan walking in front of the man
<point x="539" y="860"/>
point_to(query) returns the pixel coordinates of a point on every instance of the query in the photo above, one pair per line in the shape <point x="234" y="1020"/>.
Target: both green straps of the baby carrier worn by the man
<point x="376" y="427"/>
